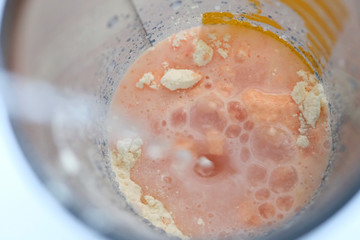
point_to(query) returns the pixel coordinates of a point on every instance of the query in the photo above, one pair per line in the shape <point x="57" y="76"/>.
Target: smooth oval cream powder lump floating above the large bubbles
<point x="175" y="79"/>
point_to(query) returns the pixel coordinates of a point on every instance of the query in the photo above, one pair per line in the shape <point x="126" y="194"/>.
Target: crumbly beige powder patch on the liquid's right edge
<point x="309" y="95"/>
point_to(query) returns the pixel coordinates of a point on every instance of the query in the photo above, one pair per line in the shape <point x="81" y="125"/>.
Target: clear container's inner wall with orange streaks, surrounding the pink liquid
<point x="63" y="61"/>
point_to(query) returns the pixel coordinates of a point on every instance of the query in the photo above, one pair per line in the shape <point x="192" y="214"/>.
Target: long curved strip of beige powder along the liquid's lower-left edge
<point x="123" y="159"/>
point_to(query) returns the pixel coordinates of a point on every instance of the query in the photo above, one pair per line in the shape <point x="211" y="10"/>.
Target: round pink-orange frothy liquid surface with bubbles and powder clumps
<point x="219" y="130"/>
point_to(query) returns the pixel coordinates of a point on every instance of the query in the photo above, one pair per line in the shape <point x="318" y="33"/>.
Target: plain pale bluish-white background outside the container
<point x="28" y="211"/>
